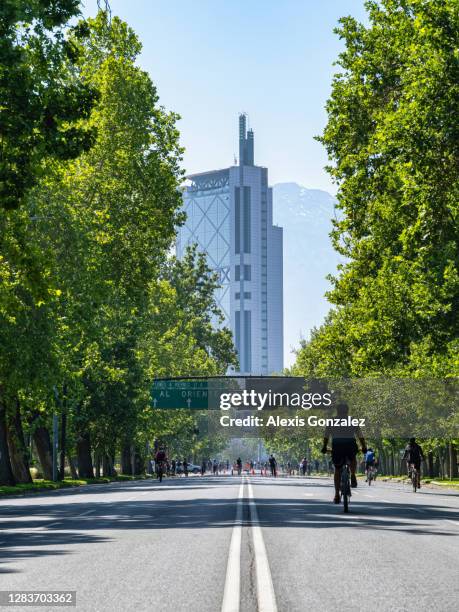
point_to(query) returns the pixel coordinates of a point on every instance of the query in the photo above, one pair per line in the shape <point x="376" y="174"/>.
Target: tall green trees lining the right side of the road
<point x="392" y="138"/>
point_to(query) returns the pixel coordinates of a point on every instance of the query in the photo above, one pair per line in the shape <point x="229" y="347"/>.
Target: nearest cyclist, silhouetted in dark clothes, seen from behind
<point x="344" y="447"/>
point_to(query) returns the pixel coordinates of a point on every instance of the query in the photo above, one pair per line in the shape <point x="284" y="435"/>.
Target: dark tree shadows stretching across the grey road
<point x="76" y="523"/>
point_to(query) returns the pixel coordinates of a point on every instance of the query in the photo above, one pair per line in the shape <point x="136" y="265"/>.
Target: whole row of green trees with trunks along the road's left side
<point x="92" y="304"/>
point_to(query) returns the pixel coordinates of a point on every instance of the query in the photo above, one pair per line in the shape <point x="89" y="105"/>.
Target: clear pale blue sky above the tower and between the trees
<point x="211" y="59"/>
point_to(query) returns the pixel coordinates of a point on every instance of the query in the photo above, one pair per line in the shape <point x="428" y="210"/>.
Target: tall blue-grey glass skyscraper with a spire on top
<point x="229" y="216"/>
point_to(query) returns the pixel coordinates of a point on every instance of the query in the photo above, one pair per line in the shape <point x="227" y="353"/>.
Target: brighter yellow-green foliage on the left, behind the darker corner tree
<point x="92" y="305"/>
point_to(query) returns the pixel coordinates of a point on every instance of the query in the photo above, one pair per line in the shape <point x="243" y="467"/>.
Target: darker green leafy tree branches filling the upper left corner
<point x="42" y="92"/>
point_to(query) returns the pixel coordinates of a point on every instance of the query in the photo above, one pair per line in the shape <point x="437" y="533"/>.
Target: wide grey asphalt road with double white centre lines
<point x="228" y="543"/>
